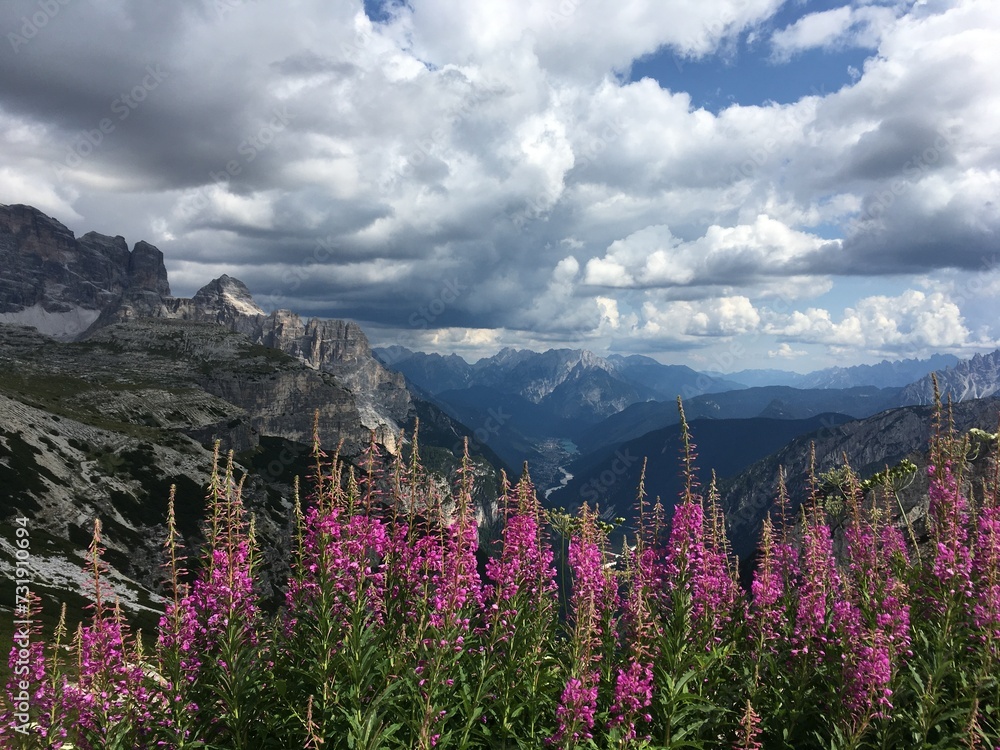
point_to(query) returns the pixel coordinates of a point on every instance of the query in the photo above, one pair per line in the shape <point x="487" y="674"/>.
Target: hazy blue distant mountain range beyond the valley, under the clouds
<point x="525" y="405"/>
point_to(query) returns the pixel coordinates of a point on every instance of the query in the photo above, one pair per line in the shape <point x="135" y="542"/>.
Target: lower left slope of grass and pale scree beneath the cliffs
<point x="102" y="428"/>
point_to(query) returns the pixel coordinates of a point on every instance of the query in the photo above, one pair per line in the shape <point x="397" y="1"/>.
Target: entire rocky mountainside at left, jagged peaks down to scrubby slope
<point x="138" y="385"/>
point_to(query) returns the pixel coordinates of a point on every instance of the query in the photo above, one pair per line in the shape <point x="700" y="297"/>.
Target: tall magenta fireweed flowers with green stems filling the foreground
<point x="399" y="630"/>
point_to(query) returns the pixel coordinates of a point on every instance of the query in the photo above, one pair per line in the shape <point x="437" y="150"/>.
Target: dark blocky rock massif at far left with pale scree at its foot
<point x="60" y="284"/>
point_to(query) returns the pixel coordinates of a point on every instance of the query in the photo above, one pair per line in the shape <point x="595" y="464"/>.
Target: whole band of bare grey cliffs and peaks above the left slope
<point x="72" y="288"/>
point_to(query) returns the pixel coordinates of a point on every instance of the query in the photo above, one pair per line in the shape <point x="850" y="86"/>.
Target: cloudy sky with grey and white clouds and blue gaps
<point x="720" y="183"/>
